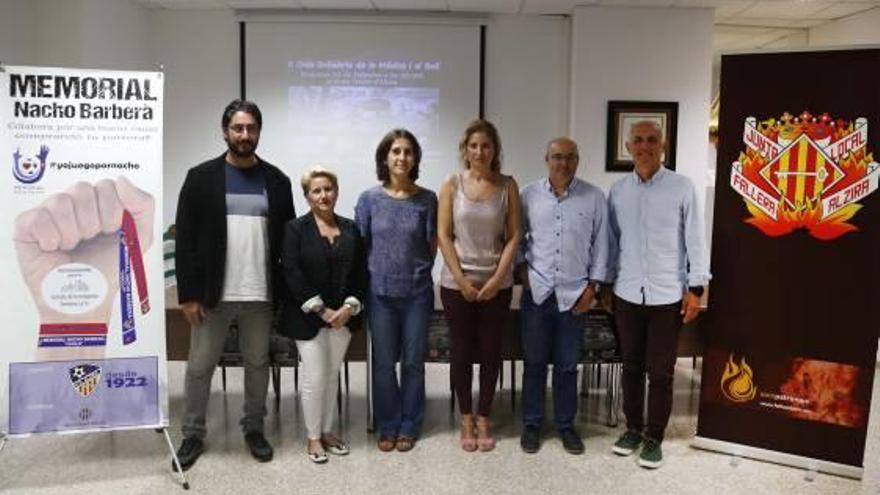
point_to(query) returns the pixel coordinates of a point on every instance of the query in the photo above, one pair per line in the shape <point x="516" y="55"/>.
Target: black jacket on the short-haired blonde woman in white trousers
<point x="312" y="267"/>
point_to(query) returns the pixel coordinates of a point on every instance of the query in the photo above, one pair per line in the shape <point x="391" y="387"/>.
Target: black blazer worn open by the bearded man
<point x="200" y="246"/>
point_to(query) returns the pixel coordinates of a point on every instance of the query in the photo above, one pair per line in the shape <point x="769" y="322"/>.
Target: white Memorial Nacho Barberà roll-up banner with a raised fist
<point x="82" y="346"/>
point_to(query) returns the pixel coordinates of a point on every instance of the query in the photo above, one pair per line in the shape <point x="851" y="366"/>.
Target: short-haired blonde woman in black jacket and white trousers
<point x="325" y="270"/>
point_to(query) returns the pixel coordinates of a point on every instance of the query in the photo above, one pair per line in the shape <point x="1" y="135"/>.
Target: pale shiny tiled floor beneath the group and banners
<point x="138" y="462"/>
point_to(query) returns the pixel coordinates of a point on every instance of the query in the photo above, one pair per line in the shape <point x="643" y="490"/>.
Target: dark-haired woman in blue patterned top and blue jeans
<point x="398" y="220"/>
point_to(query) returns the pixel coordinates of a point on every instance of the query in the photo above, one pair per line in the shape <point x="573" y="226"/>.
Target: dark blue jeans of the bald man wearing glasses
<point x="550" y="337"/>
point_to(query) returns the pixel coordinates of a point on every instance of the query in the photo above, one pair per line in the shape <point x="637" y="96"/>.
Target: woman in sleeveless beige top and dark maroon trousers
<point x="478" y="225"/>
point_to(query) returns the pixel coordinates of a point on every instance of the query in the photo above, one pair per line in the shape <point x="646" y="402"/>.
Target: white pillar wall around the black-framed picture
<point x="641" y="54"/>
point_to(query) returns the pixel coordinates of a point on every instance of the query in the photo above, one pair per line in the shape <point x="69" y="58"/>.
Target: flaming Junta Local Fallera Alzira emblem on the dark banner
<point x="804" y="172"/>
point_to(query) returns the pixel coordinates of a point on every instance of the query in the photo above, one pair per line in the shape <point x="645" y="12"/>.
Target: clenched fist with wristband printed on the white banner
<point x="68" y="253"/>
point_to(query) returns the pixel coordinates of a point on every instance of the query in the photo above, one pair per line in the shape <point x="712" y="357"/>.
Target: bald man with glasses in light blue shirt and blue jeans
<point x="565" y="253"/>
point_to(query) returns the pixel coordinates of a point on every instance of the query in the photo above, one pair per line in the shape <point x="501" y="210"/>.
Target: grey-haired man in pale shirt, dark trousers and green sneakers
<point x="658" y="255"/>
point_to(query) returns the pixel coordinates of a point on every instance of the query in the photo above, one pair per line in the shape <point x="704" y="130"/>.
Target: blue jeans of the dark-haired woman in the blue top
<point x="399" y="332"/>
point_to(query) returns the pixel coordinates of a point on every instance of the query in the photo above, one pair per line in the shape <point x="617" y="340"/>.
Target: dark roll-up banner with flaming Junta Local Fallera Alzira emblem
<point x="794" y="309"/>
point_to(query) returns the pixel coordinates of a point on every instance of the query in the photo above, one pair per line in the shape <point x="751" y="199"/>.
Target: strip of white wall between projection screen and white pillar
<point x="527" y="79"/>
